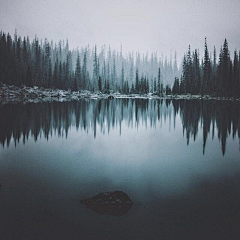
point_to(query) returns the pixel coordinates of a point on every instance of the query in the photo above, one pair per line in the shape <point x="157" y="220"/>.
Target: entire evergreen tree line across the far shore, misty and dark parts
<point x="45" y="64"/>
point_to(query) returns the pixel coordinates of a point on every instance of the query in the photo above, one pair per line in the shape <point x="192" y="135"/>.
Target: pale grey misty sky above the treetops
<point x="149" y="25"/>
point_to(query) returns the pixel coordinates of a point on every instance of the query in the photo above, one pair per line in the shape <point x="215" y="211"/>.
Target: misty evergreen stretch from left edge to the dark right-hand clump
<point x="50" y="65"/>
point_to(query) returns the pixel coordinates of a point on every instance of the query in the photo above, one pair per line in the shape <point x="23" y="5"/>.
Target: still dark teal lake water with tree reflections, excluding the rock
<point x="178" y="161"/>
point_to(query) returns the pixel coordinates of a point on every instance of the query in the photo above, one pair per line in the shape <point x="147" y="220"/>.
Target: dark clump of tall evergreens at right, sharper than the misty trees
<point x="210" y="77"/>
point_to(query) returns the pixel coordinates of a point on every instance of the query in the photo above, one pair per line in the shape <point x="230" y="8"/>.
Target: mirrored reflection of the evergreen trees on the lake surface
<point x="19" y="121"/>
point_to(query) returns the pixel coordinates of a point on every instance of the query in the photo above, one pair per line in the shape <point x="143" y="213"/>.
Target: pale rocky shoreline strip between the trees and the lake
<point x="11" y="93"/>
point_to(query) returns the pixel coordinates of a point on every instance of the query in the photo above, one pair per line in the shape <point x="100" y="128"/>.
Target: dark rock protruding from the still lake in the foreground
<point x="109" y="203"/>
